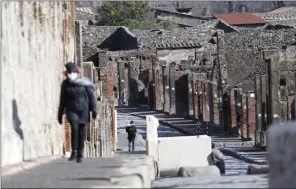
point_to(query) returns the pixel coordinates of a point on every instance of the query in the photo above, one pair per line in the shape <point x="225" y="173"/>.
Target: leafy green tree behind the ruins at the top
<point x="133" y="14"/>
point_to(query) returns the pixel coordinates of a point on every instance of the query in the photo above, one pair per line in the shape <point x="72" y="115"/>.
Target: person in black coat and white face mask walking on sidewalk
<point x="77" y="100"/>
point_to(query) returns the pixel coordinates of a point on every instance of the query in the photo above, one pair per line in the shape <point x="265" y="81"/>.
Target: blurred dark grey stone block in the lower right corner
<point x="282" y="155"/>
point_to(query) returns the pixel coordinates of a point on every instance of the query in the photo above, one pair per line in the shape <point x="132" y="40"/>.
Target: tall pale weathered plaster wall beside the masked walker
<point x="39" y="39"/>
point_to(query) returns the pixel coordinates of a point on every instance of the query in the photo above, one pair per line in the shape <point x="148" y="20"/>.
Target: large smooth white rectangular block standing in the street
<point x="184" y="151"/>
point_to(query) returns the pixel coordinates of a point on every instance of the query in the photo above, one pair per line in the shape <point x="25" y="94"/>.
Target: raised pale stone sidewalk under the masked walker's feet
<point x="119" y="172"/>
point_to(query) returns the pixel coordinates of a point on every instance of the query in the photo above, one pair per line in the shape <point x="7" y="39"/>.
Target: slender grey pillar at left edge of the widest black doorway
<point x="172" y="69"/>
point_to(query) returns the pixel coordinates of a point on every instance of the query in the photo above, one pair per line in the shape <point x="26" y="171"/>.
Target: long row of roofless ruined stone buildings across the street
<point x="206" y="72"/>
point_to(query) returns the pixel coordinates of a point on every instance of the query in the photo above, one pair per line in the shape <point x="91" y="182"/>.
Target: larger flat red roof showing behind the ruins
<point x="240" y="18"/>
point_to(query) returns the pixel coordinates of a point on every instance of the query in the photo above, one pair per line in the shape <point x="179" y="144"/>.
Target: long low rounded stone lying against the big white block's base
<point x="207" y="171"/>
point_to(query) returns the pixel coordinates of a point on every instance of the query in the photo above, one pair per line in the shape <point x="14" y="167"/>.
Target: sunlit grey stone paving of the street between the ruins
<point x="235" y="176"/>
